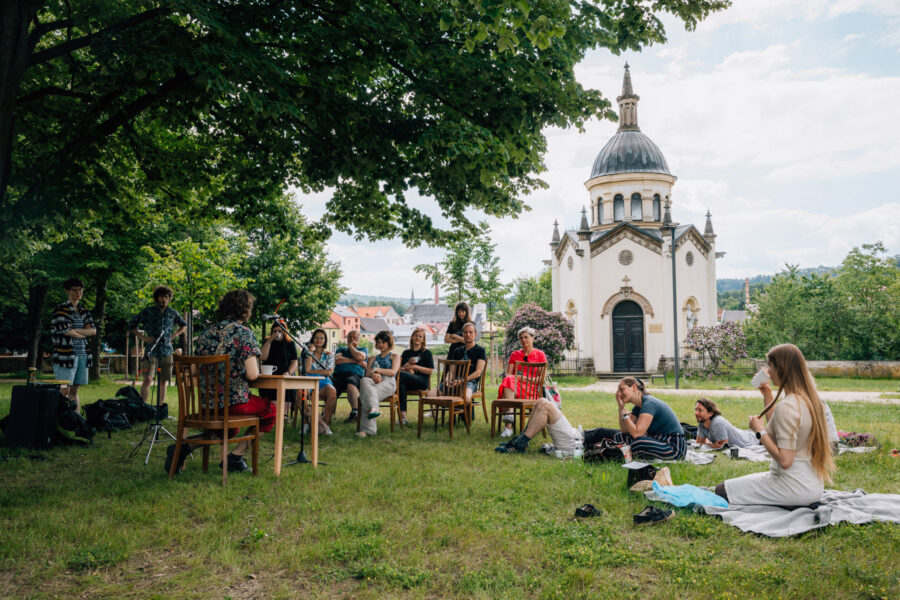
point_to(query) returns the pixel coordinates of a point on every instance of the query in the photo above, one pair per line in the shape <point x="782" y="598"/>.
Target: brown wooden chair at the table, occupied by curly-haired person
<point x="202" y="381"/>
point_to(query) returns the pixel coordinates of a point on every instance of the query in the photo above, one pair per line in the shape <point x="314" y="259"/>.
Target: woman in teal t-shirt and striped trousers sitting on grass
<point x="650" y="428"/>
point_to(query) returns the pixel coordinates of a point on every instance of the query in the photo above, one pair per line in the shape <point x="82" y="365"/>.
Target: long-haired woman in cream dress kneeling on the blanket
<point x="796" y="438"/>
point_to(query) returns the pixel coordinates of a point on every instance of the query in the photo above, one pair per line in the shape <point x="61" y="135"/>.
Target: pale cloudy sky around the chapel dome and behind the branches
<point x="780" y="117"/>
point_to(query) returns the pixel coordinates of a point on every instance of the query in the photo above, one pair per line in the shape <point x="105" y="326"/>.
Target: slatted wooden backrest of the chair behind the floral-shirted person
<point x="203" y="383"/>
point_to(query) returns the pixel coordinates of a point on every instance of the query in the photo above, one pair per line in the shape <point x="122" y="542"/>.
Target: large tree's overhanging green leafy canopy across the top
<point x="216" y="105"/>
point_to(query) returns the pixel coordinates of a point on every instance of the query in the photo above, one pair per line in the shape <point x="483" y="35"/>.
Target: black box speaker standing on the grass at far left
<point x="33" y="412"/>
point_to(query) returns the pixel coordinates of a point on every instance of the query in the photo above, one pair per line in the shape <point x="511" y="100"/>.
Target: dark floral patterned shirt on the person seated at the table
<point x="236" y="340"/>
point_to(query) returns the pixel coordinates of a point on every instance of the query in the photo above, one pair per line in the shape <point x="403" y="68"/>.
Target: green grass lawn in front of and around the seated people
<point x="397" y="517"/>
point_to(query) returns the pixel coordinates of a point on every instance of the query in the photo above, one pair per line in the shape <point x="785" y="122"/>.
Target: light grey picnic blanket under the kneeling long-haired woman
<point x="856" y="507"/>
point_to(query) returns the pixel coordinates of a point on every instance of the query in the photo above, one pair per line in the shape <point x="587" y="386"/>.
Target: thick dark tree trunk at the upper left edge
<point x="14" y="50"/>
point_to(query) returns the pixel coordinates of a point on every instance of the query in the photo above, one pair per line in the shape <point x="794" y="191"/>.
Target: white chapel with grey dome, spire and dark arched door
<point x="613" y="277"/>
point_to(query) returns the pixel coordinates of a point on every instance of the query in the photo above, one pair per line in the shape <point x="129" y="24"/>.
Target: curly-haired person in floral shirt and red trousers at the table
<point x="230" y="335"/>
